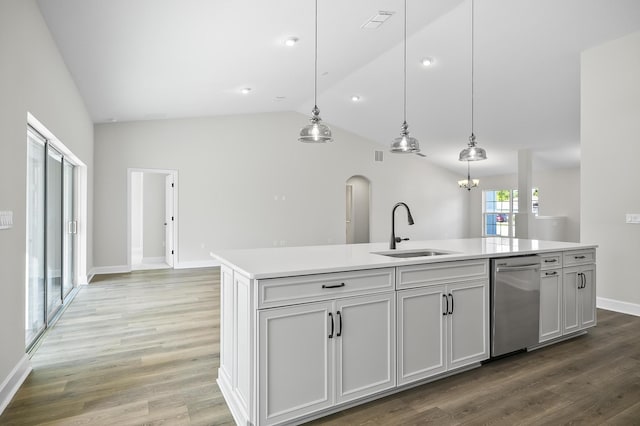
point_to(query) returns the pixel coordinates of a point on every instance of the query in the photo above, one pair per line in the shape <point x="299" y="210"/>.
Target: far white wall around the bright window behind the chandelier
<point x="559" y="196"/>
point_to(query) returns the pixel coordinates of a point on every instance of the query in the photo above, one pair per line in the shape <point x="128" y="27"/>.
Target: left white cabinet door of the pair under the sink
<point x="421" y="333"/>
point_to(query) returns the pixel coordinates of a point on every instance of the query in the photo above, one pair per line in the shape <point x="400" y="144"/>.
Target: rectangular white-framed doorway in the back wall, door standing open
<point x="152" y="218"/>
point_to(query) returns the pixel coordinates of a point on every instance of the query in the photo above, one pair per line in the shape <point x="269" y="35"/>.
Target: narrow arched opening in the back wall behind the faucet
<point x="358" y="204"/>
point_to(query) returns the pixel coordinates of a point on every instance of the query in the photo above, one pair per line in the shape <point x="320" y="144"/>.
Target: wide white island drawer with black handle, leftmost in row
<point x="308" y="288"/>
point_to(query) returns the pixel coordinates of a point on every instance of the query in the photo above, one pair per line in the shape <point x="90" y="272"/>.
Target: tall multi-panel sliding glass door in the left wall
<point x="51" y="231"/>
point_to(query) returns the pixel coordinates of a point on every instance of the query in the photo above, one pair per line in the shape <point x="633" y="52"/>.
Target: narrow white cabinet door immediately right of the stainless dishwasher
<point x="550" y="304"/>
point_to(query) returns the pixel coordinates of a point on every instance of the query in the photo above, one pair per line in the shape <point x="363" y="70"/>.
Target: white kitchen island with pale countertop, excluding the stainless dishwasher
<point x="307" y="331"/>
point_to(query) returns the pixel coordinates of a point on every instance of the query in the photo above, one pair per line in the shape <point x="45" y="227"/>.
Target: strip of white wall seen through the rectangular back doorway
<point x="153" y="213"/>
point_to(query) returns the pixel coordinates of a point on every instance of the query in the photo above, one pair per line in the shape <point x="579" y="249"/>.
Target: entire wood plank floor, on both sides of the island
<point x="143" y="348"/>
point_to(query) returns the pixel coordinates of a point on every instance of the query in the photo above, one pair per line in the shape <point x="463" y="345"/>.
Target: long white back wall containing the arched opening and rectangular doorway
<point x="245" y="181"/>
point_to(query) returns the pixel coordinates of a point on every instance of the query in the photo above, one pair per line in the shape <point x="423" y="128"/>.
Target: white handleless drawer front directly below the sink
<point x="441" y="273"/>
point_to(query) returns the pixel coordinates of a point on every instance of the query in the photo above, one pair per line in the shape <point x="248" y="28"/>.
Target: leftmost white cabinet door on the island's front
<point x="295" y="361"/>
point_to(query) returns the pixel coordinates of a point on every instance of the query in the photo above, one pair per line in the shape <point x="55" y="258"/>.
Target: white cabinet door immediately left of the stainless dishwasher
<point x="468" y="334"/>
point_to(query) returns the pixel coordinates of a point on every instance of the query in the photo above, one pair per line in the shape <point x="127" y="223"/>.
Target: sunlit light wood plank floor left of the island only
<point x="131" y="349"/>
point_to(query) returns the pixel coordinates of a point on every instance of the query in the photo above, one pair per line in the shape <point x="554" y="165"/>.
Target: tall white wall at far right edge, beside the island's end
<point x="610" y="129"/>
